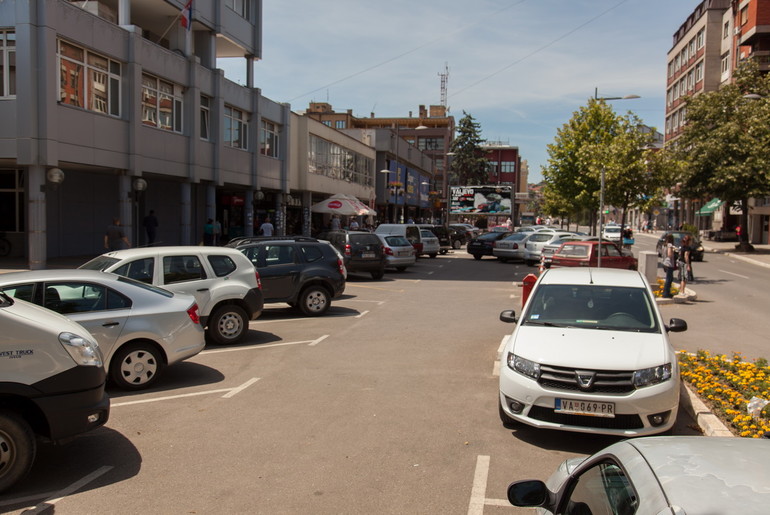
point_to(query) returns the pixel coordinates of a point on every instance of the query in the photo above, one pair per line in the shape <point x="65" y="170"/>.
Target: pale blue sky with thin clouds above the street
<point x="521" y="68"/>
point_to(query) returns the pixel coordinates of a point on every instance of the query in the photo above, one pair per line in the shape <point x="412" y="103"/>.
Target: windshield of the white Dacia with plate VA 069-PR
<point x="614" y="308"/>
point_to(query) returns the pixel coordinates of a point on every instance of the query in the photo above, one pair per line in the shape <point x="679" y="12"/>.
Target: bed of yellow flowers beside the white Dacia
<point x="728" y="385"/>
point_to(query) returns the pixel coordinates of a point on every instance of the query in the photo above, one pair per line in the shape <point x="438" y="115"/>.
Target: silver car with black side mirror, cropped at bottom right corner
<point x="659" y="474"/>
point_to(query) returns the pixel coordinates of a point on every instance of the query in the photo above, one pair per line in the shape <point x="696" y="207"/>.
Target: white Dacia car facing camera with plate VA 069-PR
<point x="590" y="353"/>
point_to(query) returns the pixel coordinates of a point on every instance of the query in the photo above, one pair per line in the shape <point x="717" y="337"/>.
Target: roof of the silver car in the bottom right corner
<point x="710" y="475"/>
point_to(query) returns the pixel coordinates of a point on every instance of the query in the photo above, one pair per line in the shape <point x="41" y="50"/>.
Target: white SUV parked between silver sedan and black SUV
<point x="223" y="281"/>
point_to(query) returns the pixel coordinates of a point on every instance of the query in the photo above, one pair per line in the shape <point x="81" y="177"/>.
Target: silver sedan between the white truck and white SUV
<point x="140" y="328"/>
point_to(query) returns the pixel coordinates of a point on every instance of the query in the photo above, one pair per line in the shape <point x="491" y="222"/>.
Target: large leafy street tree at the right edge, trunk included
<point x="723" y="149"/>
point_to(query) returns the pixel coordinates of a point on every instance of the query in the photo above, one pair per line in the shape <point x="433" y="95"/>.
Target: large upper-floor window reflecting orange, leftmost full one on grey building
<point x="88" y="80"/>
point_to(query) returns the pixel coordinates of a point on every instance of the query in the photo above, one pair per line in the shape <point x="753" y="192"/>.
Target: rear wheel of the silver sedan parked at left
<point x="136" y="366"/>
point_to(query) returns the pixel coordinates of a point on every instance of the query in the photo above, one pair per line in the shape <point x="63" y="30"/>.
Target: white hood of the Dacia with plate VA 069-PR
<point x="591" y="348"/>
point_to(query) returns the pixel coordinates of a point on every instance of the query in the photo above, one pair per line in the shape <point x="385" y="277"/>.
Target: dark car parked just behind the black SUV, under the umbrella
<point x="362" y="251"/>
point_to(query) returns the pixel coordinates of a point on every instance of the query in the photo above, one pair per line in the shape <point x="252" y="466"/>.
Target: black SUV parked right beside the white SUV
<point x="304" y="272"/>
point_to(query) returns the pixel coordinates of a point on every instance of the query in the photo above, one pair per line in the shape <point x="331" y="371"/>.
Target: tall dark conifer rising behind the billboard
<point x="469" y="164"/>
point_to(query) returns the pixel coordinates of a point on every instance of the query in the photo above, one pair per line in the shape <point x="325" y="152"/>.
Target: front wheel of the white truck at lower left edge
<point x="17" y="448"/>
